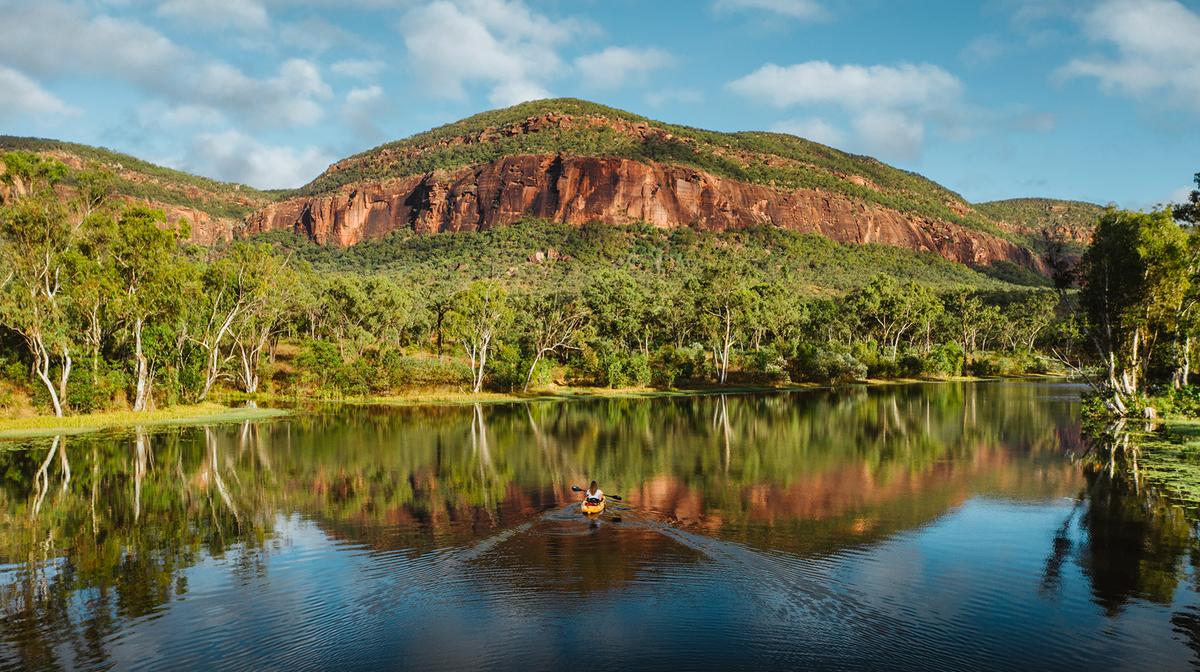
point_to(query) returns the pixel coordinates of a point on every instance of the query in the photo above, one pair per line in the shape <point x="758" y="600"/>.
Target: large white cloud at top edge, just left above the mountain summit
<point x="497" y="44"/>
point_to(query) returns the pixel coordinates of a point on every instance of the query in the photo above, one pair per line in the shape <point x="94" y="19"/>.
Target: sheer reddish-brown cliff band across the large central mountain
<point x="578" y="190"/>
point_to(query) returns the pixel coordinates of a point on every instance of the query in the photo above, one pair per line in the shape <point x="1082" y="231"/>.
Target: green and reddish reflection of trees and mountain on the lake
<point x="799" y="473"/>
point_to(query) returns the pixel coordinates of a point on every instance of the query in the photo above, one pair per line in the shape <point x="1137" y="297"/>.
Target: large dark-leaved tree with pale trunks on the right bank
<point x="1135" y="278"/>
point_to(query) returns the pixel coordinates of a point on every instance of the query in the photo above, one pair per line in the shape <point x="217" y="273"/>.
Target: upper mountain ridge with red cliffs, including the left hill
<point x="572" y="161"/>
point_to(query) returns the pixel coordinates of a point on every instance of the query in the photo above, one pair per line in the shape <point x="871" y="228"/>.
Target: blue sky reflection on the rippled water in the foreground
<point x="964" y="592"/>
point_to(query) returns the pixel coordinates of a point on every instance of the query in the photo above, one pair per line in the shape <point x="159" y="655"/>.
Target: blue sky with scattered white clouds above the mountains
<point x="1091" y="100"/>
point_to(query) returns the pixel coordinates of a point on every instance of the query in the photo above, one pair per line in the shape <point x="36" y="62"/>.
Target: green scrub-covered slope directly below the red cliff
<point x="533" y="251"/>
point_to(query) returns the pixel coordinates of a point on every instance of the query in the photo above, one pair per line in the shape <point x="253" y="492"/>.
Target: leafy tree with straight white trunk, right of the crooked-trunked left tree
<point x="145" y="255"/>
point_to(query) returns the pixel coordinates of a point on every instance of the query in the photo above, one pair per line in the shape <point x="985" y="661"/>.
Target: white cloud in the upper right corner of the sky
<point x="1157" y="51"/>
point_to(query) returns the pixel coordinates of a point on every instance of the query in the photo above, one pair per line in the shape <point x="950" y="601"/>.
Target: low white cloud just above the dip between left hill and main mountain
<point x="235" y="157"/>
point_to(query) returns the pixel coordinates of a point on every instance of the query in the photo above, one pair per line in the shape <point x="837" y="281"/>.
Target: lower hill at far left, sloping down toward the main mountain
<point x="217" y="211"/>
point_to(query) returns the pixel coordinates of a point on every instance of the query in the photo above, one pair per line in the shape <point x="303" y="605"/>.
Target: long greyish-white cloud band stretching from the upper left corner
<point x="51" y="39"/>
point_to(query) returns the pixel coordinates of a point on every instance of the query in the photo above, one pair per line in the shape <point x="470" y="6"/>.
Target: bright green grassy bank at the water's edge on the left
<point x="207" y="413"/>
